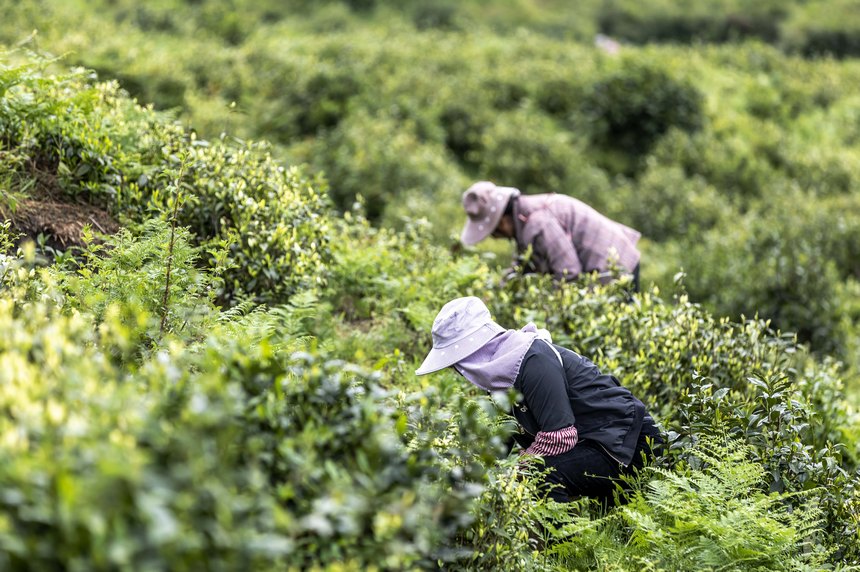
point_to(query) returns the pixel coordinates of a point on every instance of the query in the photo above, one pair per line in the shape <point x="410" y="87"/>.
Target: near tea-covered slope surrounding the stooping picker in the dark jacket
<point x="158" y="416"/>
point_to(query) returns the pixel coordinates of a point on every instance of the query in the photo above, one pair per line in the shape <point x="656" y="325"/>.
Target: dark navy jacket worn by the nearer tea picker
<point x="555" y="397"/>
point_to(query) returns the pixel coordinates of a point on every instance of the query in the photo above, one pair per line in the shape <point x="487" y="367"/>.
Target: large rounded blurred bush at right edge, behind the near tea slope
<point x="787" y="266"/>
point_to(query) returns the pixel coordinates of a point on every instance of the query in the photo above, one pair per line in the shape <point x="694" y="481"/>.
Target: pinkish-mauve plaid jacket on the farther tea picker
<point x="569" y="237"/>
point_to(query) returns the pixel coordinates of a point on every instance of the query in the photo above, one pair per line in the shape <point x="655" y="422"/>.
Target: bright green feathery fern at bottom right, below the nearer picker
<point x="709" y="517"/>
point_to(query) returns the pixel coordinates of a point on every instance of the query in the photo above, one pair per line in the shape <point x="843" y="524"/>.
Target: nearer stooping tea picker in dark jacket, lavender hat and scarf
<point x="587" y="427"/>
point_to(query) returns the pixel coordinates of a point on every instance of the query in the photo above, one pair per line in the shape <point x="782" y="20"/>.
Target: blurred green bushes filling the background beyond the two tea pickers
<point x="679" y="142"/>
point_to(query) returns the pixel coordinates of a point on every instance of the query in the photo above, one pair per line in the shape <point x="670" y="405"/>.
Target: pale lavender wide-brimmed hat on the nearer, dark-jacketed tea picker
<point x="461" y="328"/>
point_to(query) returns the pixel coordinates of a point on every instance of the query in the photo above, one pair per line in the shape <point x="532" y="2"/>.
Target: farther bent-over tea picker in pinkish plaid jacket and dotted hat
<point x="567" y="236"/>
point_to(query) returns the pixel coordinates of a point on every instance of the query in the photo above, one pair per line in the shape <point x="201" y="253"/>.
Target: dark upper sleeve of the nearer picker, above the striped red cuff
<point x="544" y="389"/>
